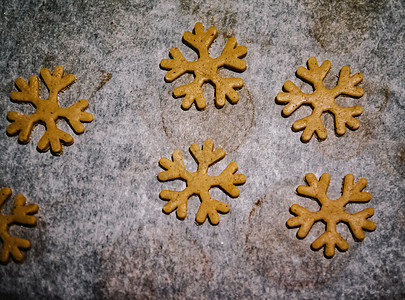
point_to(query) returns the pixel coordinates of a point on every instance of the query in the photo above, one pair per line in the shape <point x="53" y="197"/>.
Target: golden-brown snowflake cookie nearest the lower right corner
<point x="332" y="212"/>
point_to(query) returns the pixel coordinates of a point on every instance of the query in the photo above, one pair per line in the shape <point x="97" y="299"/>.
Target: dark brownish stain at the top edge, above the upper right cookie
<point x="342" y="25"/>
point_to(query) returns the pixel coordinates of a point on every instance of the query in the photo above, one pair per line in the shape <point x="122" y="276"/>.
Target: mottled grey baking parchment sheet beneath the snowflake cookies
<point x="101" y="232"/>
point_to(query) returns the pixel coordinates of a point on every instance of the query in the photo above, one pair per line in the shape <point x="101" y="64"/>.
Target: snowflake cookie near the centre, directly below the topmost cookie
<point x="199" y="183"/>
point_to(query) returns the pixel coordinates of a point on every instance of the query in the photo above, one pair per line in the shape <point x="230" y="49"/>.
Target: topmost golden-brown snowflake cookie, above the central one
<point x="205" y="69"/>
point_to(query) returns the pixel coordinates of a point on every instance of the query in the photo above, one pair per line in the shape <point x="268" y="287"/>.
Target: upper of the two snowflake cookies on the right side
<point x="322" y="100"/>
